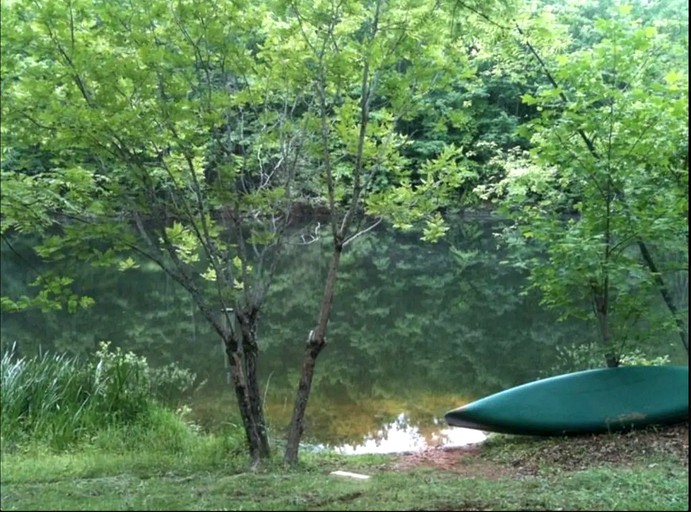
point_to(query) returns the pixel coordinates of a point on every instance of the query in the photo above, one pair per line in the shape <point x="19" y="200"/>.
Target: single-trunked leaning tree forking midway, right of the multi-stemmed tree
<point x="369" y="64"/>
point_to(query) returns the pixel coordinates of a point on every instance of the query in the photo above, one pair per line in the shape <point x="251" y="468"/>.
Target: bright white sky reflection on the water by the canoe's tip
<point x="399" y="436"/>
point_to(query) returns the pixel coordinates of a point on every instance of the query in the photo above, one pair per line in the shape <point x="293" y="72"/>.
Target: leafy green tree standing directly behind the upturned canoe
<point x="607" y="176"/>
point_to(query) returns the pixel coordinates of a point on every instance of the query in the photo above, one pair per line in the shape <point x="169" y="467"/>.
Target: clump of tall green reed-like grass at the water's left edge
<point x="61" y="400"/>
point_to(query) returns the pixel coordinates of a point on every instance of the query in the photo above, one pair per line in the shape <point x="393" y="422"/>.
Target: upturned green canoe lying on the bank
<point x="591" y="401"/>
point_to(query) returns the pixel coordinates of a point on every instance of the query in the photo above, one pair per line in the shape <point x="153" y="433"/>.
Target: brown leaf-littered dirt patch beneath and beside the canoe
<point x="572" y="453"/>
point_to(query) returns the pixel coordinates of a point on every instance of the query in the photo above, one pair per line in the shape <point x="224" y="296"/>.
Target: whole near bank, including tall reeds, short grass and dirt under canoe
<point x="92" y="436"/>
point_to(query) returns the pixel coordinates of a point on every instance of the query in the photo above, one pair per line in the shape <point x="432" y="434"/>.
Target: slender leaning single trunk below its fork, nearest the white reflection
<point x="316" y="341"/>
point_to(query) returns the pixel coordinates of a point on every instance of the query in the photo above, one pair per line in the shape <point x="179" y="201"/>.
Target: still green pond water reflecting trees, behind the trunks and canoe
<point x="416" y="330"/>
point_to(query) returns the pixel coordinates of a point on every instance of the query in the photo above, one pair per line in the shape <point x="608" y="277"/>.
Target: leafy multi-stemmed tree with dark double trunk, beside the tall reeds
<point x="168" y="139"/>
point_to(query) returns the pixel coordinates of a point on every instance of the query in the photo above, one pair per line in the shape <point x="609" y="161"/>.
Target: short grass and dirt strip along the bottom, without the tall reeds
<point x="640" y="471"/>
